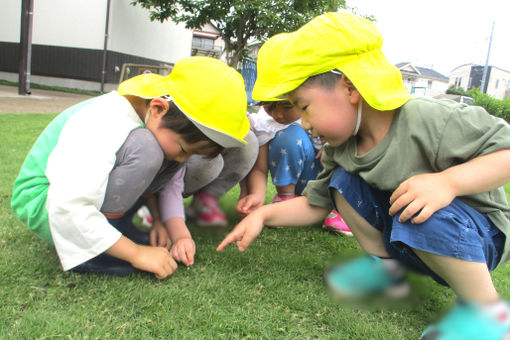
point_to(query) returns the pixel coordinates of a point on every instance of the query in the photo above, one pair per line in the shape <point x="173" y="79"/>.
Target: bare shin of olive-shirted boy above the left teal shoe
<point x="369" y="238"/>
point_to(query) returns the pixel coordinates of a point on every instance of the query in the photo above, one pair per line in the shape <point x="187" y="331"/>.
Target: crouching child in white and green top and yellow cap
<point x="85" y="176"/>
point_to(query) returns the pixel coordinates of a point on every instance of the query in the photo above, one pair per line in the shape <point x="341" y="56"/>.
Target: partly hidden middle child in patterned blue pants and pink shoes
<point x="287" y="151"/>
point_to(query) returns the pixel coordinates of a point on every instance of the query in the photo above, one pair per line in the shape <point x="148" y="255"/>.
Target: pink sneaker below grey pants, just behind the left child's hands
<point x="206" y="210"/>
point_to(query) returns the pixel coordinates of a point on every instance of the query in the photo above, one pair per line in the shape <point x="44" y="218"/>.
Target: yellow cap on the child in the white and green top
<point x="210" y="93"/>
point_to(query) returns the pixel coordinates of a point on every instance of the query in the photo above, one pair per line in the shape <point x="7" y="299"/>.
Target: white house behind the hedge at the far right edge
<point x="467" y="76"/>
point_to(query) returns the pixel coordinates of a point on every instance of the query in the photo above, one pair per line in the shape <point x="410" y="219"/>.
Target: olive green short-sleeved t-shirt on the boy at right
<point x="426" y="136"/>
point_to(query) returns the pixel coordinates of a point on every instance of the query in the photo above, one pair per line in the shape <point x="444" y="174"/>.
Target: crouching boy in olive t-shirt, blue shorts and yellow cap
<point x="418" y="180"/>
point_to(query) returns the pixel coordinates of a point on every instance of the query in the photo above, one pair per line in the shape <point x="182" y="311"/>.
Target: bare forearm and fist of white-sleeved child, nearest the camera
<point x="156" y="260"/>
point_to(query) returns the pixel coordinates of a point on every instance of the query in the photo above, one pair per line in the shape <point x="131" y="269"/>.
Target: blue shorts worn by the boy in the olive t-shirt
<point x="457" y="230"/>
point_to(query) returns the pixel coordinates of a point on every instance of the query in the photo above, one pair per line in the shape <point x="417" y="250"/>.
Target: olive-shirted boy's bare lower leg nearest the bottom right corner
<point x="470" y="281"/>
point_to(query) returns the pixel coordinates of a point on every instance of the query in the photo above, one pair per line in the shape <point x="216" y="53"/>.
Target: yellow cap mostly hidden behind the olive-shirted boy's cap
<point x="269" y="54"/>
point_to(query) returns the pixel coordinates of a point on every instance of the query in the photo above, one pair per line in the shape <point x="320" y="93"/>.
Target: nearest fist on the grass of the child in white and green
<point x="156" y="260"/>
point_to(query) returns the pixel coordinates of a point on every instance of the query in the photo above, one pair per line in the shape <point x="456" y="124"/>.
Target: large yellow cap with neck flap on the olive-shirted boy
<point x="340" y="41"/>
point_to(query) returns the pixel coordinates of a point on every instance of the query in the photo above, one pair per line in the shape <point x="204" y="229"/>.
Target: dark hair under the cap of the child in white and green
<point x="178" y="122"/>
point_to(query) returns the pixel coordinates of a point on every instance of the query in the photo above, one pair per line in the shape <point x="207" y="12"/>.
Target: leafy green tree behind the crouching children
<point x="240" y="21"/>
